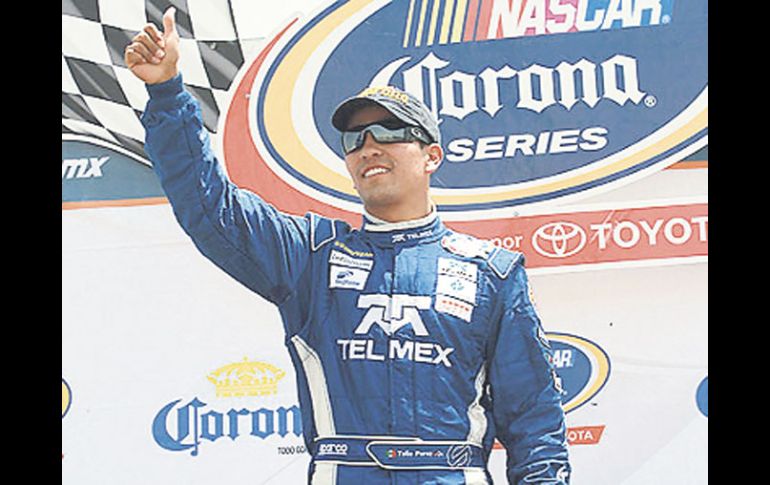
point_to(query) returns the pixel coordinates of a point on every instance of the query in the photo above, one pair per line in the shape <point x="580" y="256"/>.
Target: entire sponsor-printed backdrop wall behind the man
<point x="174" y="373"/>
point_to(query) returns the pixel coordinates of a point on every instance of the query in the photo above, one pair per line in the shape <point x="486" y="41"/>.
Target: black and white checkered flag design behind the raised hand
<point x="100" y="96"/>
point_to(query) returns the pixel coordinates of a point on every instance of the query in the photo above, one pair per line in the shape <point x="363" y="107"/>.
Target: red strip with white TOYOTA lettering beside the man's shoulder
<point x="602" y="236"/>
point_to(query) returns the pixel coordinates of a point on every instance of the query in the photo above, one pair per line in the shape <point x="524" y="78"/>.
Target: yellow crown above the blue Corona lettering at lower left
<point x="246" y="379"/>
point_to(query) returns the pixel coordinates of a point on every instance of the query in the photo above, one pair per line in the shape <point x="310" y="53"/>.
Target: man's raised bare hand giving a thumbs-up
<point x="152" y="56"/>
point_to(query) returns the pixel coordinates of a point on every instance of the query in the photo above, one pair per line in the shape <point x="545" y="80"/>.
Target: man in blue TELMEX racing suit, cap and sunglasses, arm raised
<point x="414" y="346"/>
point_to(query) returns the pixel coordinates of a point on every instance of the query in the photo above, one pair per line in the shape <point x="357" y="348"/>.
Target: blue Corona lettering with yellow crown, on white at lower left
<point x="181" y="427"/>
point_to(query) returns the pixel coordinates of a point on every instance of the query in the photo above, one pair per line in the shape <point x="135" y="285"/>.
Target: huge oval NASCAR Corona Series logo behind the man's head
<point x="537" y="99"/>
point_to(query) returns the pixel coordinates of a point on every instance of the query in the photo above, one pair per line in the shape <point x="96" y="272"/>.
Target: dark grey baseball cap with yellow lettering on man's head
<point x="399" y="103"/>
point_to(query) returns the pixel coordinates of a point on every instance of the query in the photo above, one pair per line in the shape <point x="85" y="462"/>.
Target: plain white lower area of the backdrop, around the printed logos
<point x="146" y="319"/>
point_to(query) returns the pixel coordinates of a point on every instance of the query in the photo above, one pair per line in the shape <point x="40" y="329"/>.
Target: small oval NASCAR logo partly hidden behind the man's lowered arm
<point x="582" y="365"/>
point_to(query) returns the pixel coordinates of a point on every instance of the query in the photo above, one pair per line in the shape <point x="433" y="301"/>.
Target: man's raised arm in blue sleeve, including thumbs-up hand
<point x="260" y="247"/>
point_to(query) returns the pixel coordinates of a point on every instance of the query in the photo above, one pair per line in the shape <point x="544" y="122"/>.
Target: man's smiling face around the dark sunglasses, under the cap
<point x="389" y="174"/>
